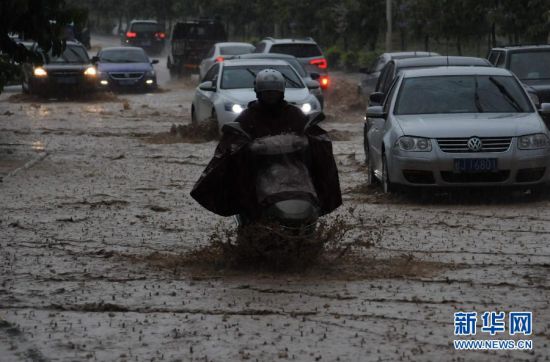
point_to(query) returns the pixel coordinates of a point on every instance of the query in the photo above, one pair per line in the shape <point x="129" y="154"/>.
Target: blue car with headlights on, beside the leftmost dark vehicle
<point x="125" y="68"/>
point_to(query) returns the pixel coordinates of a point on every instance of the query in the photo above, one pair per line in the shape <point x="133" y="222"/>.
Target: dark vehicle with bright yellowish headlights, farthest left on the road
<point x="69" y="72"/>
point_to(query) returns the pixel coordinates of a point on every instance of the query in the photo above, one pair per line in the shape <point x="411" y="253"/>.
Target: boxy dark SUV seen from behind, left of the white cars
<point x="190" y="42"/>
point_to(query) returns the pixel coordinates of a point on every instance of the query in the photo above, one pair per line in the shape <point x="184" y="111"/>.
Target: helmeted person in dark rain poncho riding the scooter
<point x="230" y="184"/>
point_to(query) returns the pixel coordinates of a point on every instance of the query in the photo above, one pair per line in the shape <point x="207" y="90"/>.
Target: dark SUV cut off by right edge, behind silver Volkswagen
<point x="531" y="64"/>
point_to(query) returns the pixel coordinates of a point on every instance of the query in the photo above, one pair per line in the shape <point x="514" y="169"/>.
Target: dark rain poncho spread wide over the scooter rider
<point x="228" y="186"/>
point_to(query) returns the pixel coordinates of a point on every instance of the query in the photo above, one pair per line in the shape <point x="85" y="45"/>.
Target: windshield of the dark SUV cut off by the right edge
<point x="531" y="65"/>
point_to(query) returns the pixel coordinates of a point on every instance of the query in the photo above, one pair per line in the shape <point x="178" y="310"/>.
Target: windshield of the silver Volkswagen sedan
<point x="461" y="94"/>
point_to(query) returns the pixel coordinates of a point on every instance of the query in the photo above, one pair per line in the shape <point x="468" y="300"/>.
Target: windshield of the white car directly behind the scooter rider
<point x="236" y="77"/>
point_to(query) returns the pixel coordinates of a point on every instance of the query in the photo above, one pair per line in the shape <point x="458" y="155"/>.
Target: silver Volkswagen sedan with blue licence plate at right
<point x="457" y="126"/>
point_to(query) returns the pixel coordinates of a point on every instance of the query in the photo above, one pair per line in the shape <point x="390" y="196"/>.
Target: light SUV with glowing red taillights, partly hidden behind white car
<point x="305" y="50"/>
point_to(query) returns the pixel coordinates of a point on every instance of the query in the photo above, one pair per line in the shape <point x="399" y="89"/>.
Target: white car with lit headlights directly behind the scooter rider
<point x="228" y="87"/>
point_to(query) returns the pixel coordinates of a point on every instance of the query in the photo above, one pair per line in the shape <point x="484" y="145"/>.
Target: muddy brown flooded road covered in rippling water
<point x="96" y="217"/>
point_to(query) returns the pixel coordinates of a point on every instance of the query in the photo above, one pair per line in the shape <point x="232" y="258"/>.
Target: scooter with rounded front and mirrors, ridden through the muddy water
<point x="284" y="188"/>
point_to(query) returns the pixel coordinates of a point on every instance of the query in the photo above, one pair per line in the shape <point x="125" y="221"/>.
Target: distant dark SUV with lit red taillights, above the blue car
<point x="146" y="34"/>
